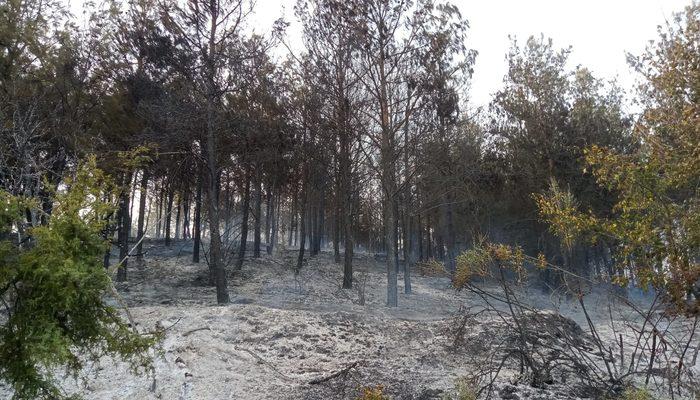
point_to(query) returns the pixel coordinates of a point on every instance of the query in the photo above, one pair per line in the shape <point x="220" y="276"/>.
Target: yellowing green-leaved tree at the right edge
<point x="655" y="220"/>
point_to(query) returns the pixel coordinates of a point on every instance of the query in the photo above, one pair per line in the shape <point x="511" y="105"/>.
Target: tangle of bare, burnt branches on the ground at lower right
<point x="641" y="347"/>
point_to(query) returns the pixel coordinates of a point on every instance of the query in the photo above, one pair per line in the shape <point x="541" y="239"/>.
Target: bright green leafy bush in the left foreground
<point x="53" y="288"/>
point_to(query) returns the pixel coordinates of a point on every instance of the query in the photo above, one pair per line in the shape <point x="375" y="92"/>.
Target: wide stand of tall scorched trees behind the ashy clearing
<point x="366" y="139"/>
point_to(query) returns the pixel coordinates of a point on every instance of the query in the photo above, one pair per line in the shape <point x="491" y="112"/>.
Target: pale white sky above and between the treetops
<point x="600" y="32"/>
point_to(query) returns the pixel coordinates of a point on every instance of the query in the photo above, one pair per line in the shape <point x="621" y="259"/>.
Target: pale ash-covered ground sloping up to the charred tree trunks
<point x="281" y="333"/>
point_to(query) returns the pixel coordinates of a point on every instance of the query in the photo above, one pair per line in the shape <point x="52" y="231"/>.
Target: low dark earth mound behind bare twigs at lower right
<point x="537" y="349"/>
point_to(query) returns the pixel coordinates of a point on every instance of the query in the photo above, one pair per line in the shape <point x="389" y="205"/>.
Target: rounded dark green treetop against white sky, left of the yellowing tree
<point x="546" y="116"/>
